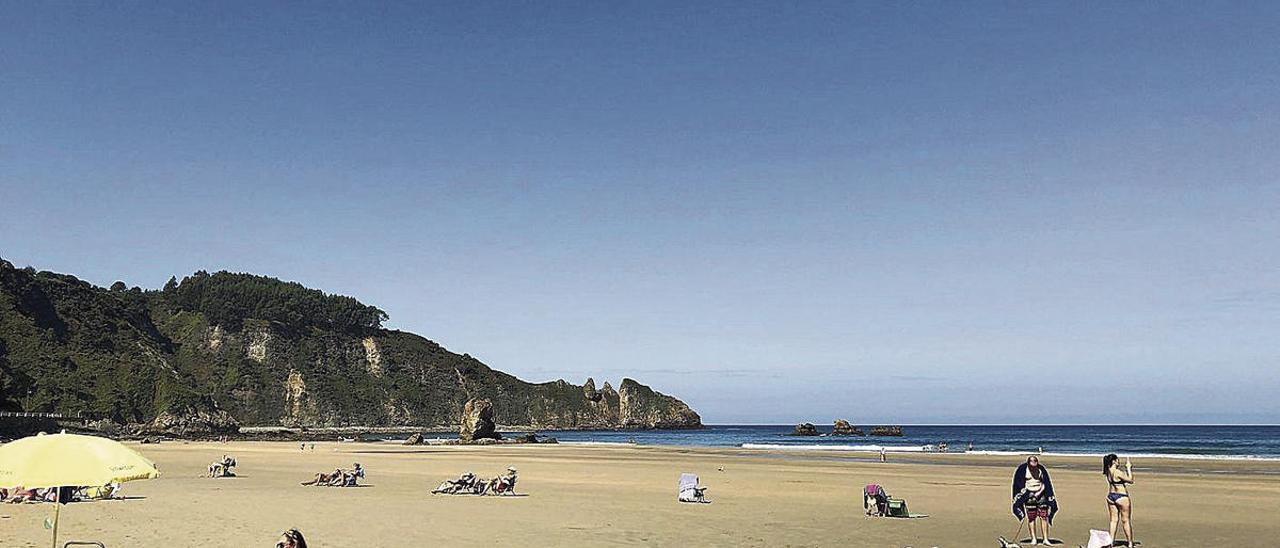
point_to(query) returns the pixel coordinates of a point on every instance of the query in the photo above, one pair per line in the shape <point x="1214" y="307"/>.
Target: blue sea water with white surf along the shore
<point x="1186" y="442"/>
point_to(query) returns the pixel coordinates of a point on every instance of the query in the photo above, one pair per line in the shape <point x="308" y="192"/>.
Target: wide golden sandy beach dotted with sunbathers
<point x="625" y="496"/>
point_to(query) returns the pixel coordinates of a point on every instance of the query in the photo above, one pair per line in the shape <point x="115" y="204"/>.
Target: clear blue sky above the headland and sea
<point x="884" y="212"/>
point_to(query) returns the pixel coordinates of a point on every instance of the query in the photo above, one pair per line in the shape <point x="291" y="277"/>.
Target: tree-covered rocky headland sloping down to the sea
<point x="154" y="358"/>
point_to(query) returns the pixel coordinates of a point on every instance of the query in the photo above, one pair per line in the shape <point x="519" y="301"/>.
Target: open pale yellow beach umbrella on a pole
<point x="70" y="460"/>
